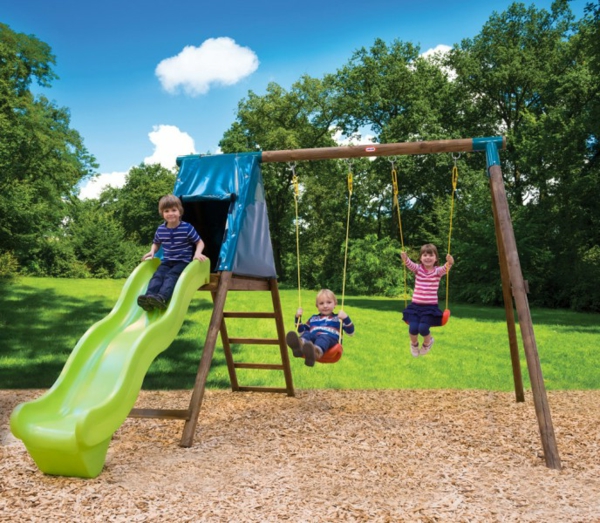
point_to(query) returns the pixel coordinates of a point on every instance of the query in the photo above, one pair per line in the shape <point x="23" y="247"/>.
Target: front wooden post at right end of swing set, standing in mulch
<point x="507" y="239"/>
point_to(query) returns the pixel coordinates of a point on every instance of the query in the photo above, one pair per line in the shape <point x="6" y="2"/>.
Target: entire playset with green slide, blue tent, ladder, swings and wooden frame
<point x="223" y="197"/>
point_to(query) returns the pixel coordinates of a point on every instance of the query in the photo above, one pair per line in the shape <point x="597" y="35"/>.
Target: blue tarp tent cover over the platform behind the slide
<point x="246" y="249"/>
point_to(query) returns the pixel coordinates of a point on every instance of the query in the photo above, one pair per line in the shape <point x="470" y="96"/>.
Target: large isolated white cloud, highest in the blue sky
<point x="216" y="61"/>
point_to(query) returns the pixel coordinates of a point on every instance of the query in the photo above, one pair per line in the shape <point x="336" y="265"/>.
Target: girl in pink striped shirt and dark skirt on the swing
<point x="423" y="311"/>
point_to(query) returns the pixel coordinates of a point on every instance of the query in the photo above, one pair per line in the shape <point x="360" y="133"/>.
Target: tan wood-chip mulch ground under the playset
<point x="326" y="455"/>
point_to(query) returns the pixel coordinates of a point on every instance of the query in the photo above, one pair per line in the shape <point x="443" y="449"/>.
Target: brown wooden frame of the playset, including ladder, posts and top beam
<point x="514" y="290"/>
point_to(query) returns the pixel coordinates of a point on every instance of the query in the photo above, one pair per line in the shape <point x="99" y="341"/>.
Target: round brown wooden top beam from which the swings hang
<point x="386" y="149"/>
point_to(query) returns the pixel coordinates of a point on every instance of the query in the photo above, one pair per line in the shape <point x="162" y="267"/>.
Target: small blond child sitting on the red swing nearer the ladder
<point x="321" y="332"/>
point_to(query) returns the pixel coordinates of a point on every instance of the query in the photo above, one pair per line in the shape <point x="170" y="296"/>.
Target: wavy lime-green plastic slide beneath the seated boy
<point x="67" y="430"/>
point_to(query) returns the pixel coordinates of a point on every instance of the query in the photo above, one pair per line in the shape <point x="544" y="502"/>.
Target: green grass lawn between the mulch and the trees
<point x="41" y="320"/>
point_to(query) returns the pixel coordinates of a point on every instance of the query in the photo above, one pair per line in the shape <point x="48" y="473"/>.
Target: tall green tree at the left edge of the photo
<point x="41" y="158"/>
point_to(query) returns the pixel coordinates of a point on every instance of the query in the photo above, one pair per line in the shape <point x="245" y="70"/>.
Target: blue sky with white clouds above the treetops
<point x="146" y="81"/>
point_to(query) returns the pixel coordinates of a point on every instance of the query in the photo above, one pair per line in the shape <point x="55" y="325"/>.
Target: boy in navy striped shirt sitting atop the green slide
<point x="181" y="244"/>
